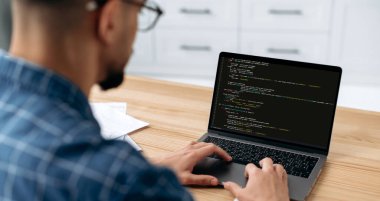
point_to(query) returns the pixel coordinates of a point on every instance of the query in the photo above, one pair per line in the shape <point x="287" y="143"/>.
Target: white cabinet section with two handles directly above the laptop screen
<point x="286" y="29"/>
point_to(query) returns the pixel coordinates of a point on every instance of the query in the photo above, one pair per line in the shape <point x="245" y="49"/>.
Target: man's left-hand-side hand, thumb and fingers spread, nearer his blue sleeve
<point x="183" y="161"/>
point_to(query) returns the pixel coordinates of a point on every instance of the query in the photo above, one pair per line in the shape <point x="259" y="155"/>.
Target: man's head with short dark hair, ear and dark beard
<point x="106" y="28"/>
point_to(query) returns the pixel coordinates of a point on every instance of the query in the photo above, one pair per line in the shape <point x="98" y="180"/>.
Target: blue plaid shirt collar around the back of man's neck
<point x="36" y="79"/>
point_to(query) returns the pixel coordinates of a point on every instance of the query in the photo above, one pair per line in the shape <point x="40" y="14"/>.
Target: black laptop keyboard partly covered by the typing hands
<point x="242" y="153"/>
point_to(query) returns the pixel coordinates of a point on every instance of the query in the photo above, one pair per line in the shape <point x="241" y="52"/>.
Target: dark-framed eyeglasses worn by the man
<point x="148" y="16"/>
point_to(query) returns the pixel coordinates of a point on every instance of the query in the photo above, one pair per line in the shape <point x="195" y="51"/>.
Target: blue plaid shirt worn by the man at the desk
<point x="51" y="147"/>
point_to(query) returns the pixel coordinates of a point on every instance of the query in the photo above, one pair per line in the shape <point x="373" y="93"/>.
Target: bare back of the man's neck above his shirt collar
<point x="71" y="57"/>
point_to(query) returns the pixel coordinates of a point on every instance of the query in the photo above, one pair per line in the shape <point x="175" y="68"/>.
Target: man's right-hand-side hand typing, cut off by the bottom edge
<point x="267" y="184"/>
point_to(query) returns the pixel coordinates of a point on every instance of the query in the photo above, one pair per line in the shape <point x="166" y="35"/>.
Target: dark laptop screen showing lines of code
<point x="285" y="101"/>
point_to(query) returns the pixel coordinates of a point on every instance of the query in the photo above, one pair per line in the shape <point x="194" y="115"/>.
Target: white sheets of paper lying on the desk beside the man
<point x="115" y="123"/>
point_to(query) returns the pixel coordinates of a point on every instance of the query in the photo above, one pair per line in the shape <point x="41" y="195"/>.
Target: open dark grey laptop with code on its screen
<point x="266" y="107"/>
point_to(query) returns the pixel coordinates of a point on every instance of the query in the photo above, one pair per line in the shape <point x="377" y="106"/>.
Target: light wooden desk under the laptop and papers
<point x="179" y="114"/>
